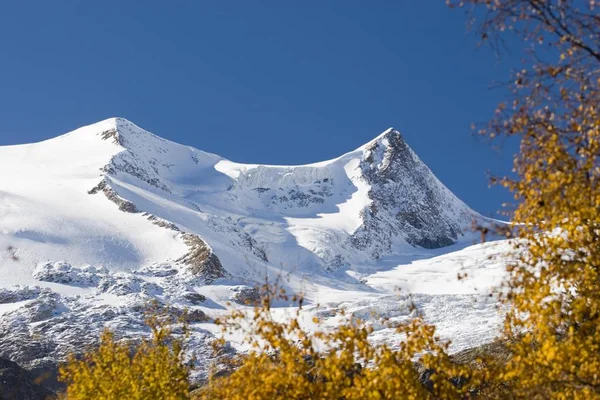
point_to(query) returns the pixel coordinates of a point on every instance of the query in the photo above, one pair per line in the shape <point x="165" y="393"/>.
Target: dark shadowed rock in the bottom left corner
<point x="18" y="384"/>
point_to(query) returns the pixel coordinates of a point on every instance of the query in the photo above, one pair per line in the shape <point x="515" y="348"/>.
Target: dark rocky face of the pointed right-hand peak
<point x="407" y="201"/>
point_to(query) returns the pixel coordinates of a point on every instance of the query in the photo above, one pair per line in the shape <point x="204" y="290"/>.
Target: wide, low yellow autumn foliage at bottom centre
<point x="289" y="362"/>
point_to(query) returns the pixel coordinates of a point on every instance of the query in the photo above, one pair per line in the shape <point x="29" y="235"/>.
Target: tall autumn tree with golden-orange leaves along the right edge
<point x="554" y="111"/>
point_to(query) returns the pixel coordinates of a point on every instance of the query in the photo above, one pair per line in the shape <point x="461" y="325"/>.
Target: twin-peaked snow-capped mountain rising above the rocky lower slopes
<point x="213" y="215"/>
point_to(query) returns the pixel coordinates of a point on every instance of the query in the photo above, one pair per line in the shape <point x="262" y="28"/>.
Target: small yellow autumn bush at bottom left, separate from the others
<point x="150" y="370"/>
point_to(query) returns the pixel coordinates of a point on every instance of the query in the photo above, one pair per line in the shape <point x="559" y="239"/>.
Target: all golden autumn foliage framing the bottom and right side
<point x="551" y="342"/>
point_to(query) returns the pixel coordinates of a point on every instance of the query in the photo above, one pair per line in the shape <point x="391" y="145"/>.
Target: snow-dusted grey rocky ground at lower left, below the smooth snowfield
<point x="45" y="327"/>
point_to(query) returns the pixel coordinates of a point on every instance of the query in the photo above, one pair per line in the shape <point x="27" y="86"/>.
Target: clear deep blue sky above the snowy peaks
<point x="258" y="81"/>
